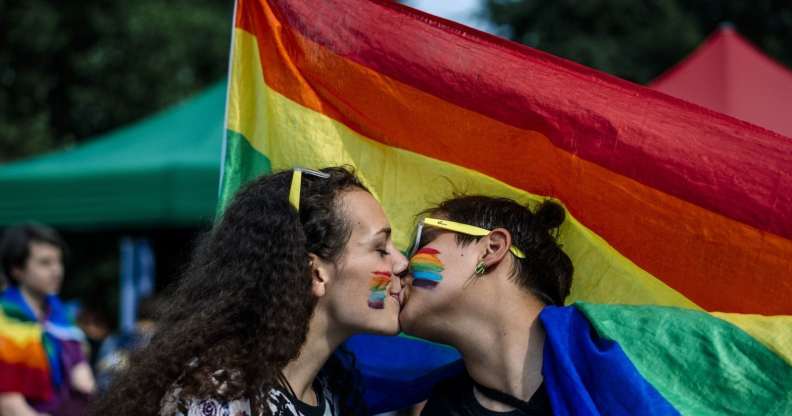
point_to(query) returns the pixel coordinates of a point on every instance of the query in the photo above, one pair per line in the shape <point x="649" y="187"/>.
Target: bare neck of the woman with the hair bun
<point x="505" y="353"/>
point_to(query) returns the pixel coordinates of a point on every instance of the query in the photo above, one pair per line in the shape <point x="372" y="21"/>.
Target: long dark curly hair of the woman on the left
<point x="240" y="313"/>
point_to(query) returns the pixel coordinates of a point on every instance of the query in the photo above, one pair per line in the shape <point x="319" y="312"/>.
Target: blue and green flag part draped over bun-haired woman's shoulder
<point x="631" y="360"/>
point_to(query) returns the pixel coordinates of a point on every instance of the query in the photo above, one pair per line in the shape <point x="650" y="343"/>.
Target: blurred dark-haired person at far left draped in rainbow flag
<point x="43" y="369"/>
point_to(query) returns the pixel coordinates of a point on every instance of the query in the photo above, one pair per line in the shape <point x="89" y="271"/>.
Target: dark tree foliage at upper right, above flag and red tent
<point x="638" y="40"/>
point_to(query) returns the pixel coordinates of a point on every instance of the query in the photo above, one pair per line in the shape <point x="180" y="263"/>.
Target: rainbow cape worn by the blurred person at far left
<point x="30" y="351"/>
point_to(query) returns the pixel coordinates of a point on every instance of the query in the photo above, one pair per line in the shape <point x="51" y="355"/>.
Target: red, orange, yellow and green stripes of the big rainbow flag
<point x="669" y="204"/>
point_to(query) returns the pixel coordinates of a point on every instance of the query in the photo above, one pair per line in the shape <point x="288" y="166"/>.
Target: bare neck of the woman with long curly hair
<point x="322" y="340"/>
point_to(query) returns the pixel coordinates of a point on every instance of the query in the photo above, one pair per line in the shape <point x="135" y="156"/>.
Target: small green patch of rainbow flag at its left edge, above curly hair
<point x="242" y="164"/>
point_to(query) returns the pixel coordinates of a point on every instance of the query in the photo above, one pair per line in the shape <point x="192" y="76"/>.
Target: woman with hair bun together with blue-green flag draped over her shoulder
<point x="489" y="278"/>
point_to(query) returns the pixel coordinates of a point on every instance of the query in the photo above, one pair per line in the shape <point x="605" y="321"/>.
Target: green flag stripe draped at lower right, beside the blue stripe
<point x="701" y="364"/>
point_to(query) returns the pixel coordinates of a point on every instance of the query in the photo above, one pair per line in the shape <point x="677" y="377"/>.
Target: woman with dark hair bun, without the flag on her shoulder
<point x="482" y="270"/>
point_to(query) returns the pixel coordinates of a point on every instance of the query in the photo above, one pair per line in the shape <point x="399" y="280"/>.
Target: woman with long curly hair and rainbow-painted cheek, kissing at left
<point x="300" y="261"/>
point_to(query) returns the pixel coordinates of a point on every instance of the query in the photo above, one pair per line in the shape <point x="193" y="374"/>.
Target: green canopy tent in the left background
<point x="163" y="170"/>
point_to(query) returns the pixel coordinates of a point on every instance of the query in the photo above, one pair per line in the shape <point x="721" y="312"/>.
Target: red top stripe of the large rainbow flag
<point x="712" y="160"/>
